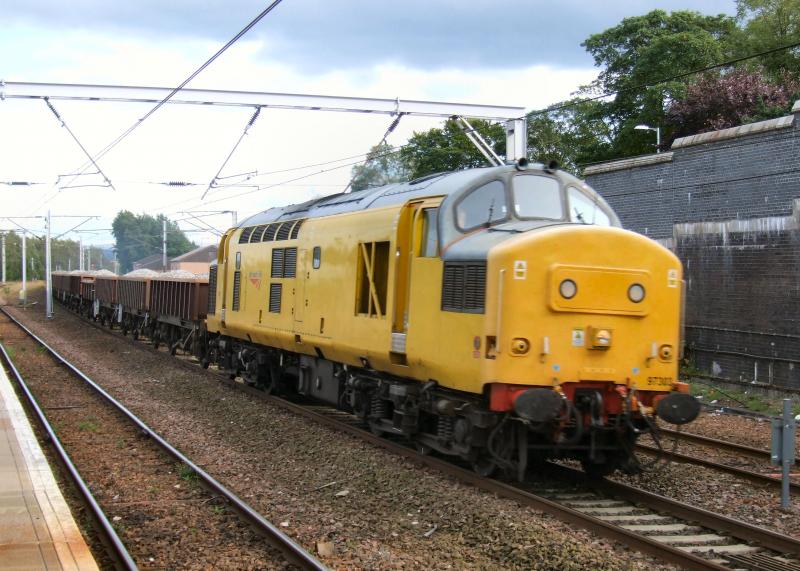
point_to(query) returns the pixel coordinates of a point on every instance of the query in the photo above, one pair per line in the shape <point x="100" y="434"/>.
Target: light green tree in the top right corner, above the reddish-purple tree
<point x="769" y="24"/>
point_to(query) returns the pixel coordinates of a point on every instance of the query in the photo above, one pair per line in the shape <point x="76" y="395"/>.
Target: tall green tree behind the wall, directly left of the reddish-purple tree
<point x="637" y="54"/>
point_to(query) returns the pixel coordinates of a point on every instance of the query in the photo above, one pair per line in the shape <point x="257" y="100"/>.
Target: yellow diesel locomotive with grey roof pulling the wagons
<point x="501" y="315"/>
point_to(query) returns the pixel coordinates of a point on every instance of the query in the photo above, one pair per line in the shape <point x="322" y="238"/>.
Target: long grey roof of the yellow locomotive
<point x="439" y="184"/>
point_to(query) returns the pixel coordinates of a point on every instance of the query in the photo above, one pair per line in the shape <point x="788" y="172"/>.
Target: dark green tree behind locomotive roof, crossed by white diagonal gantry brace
<point x="449" y="149"/>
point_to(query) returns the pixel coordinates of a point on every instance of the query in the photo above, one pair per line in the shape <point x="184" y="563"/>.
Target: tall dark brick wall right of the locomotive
<point x="728" y="203"/>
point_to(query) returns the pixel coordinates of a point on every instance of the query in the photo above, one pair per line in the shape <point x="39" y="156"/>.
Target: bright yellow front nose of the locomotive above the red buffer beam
<point x="560" y="332"/>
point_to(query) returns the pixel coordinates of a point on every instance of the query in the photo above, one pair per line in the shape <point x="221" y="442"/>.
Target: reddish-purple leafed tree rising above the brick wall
<point x="720" y="101"/>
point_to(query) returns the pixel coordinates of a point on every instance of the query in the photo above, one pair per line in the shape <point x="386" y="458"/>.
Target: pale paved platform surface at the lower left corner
<point x="37" y="530"/>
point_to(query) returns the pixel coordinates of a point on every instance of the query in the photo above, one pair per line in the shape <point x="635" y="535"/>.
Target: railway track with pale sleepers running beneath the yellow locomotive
<point x="675" y="532"/>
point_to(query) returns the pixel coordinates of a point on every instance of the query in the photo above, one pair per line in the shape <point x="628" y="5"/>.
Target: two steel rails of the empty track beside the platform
<point x="290" y="551"/>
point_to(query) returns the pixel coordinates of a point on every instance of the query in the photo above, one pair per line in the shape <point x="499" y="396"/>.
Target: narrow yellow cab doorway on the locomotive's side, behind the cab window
<point x="416" y="225"/>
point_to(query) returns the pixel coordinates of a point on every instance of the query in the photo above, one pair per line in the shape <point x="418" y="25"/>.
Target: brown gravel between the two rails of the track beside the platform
<point x="163" y="516"/>
